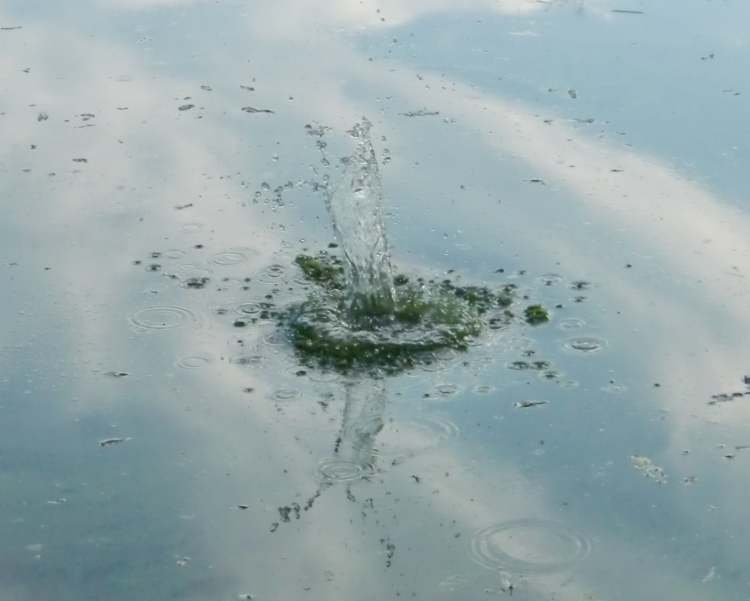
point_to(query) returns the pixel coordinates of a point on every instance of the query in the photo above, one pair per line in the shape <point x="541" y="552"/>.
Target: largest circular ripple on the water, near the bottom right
<point x="528" y="545"/>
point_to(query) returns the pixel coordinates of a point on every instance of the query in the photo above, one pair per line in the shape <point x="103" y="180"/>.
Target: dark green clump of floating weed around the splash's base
<point x="427" y="317"/>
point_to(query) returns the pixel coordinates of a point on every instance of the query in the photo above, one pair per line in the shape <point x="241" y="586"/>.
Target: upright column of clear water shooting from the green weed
<point x="356" y="208"/>
